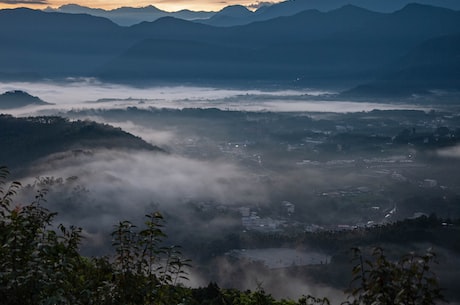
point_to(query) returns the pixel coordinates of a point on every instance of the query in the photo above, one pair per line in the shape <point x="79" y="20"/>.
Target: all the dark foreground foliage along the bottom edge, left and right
<point x="40" y="264"/>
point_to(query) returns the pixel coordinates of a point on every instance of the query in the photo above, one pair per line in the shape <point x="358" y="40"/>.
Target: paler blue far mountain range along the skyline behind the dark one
<point x="240" y="15"/>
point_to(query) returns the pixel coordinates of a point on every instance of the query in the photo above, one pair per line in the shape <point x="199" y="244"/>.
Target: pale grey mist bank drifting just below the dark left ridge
<point x="110" y="186"/>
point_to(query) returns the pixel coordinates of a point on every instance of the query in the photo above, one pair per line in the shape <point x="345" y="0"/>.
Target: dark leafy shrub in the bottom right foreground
<point x="380" y="281"/>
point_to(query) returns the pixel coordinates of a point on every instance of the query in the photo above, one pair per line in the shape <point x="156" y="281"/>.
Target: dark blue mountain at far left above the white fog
<point x="54" y="44"/>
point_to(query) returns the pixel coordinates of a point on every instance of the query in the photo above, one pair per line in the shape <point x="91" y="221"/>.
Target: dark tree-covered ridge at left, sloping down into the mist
<point x="25" y="140"/>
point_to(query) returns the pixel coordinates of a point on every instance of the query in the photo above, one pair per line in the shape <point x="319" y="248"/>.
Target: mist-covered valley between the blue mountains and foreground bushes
<point x="229" y="167"/>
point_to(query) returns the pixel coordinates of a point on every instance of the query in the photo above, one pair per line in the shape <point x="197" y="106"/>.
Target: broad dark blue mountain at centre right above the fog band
<point x="345" y="45"/>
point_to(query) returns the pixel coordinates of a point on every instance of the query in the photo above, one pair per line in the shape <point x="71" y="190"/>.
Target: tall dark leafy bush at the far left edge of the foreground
<point x="36" y="261"/>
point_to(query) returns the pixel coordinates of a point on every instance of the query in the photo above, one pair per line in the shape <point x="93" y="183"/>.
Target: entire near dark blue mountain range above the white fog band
<point x="345" y="47"/>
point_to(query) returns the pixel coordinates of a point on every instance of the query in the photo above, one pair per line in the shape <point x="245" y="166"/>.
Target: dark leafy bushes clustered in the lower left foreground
<point x="40" y="262"/>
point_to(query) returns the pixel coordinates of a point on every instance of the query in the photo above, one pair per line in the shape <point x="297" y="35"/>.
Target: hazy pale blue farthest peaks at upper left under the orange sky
<point x="127" y="16"/>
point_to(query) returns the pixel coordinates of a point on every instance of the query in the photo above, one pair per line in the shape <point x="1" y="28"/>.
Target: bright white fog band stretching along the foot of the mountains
<point x="89" y="93"/>
